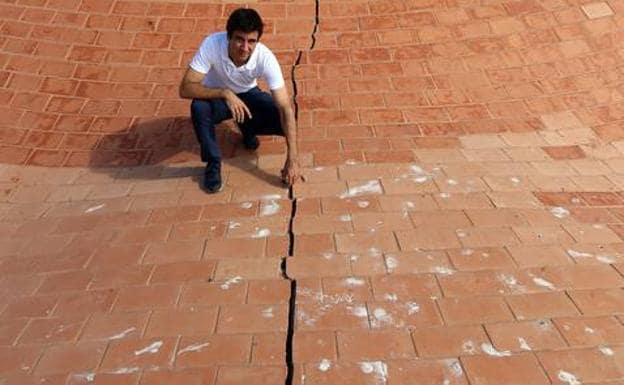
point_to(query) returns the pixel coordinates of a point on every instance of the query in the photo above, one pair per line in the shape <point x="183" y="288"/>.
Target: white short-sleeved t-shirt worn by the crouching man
<point x="212" y="59"/>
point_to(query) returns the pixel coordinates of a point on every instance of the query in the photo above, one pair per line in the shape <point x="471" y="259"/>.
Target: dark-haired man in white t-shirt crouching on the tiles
<point x="221" y="80"/>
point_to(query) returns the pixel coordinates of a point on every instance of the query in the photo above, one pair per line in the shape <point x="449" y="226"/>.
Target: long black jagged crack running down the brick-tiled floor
<point x="292" y="301"/>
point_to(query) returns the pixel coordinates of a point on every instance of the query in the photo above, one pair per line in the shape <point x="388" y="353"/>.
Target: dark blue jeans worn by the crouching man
<point x="206" y="113"/>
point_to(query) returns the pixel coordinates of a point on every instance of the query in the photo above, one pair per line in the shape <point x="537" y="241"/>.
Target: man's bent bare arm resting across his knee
<point x="191" y="87"/>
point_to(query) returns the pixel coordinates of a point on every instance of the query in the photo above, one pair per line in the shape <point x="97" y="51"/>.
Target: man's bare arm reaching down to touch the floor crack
<point x="291" y="172"/>
